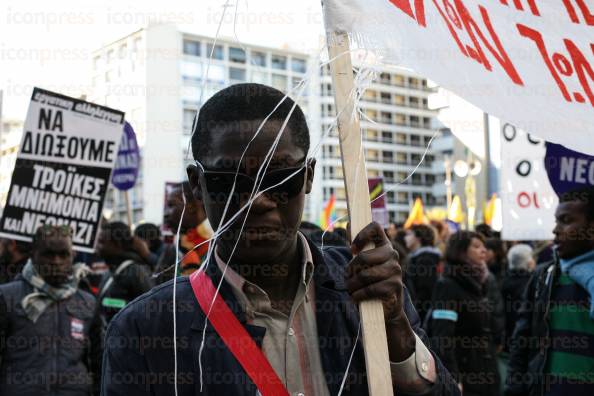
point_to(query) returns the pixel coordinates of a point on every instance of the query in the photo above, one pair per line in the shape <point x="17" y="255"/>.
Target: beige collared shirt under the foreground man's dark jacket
<point x="291" y="342"/>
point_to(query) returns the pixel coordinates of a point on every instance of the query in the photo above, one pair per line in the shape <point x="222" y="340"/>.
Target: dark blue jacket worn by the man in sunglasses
<point x="139" y="354"/>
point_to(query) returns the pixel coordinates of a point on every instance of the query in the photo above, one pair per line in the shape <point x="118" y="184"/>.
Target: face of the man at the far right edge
<point x="574" y="231"/>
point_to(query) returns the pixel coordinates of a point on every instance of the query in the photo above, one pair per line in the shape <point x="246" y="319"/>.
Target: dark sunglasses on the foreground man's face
<point x="287" y="182"/>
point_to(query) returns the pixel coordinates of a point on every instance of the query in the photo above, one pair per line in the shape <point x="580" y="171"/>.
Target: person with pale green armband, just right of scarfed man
<point x="128" y="276"/>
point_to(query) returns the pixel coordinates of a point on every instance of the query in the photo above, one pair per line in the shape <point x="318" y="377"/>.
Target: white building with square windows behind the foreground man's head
<point x="160" y="76"/>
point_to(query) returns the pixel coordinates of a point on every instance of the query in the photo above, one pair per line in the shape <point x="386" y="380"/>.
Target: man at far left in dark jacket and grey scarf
<point x="49" y="338"/>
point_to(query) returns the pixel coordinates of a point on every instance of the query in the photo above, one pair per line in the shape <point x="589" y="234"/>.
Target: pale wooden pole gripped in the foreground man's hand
<point x="375" y="342"/>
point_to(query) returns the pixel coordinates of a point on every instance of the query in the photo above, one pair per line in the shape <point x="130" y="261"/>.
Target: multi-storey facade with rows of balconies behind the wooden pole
<point x="397" y="126"/>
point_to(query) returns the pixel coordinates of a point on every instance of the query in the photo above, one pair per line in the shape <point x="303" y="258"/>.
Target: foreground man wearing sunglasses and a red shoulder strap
<point x="282" y="314"/>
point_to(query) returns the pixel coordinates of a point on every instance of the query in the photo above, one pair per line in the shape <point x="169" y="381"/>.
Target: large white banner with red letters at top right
<point x="530" y="62"/>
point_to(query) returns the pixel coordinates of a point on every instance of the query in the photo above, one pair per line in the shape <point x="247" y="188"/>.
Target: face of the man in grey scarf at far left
<point x="52" y="258"/>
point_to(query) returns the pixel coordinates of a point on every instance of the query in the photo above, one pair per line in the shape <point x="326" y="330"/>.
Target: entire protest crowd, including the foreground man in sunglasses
<point x="466" y="312"/>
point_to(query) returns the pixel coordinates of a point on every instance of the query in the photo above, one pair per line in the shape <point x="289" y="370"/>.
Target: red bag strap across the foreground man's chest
<point x="234" y="335"/>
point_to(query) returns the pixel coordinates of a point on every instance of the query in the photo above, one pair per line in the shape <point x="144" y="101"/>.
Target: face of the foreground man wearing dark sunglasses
<point x="274" y="217"/>
